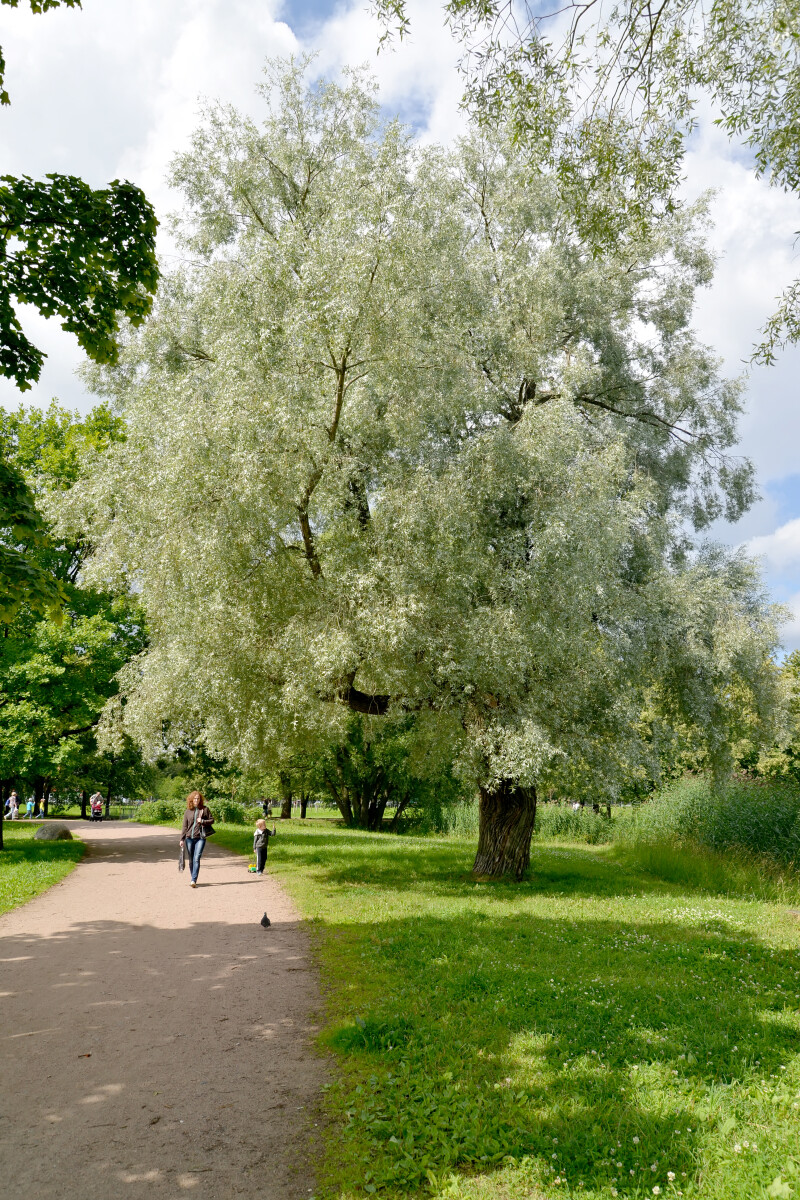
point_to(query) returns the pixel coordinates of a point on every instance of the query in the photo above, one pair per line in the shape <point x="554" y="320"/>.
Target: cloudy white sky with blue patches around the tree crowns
<point x="112" y="92"/>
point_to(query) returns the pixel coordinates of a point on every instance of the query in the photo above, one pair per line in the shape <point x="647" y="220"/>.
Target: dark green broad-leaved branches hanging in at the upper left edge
<point x="87" y="257"/>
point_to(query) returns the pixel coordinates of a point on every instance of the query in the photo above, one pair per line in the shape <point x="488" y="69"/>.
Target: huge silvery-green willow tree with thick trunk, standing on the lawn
<point x="399" y="442"/>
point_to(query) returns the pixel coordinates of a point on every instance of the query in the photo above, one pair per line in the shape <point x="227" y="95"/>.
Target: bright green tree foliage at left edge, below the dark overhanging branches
<point x="56" y="679"/>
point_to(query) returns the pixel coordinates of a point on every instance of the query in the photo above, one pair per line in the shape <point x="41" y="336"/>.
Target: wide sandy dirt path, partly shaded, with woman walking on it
<point x="154" y="1039"/>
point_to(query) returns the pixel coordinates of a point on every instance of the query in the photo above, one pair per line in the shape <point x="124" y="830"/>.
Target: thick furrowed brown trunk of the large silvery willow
<point x="508" y="814"/>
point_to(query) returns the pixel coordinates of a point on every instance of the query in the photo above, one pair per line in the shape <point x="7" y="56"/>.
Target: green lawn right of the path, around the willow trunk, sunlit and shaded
<point x="592" y="1033"/>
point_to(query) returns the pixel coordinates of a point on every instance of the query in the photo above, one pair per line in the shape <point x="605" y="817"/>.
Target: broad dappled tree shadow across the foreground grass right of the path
<point x="576" y="1045"/>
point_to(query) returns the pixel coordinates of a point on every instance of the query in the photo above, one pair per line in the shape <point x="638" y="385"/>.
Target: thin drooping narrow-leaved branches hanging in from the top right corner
<point x="610" y="97"/>
